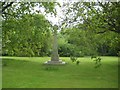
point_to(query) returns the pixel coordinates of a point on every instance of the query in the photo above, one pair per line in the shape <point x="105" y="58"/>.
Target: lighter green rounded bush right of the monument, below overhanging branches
<point x="82" y="43"/>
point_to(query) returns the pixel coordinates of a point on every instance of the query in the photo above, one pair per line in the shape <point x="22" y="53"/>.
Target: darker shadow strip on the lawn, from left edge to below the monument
<point x="6" y="62"/>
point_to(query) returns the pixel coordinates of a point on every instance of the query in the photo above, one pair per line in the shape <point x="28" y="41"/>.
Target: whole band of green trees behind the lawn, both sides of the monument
<point x="88" y="28"/>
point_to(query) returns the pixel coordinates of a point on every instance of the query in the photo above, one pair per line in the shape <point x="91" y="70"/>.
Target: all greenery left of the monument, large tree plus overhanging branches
<point x="26" y="32"/>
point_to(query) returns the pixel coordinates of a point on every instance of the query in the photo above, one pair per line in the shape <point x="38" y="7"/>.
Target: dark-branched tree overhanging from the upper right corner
<point x="95" y="18"/>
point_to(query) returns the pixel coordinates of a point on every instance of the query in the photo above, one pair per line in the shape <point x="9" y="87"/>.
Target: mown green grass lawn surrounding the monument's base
<point x="26" y="72"/>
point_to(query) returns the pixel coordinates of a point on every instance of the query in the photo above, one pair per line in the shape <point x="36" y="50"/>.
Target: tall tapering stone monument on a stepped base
<point x="55" y="56"/>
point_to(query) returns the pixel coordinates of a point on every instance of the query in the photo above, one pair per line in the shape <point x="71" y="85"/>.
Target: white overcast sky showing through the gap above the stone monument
<point x="60" y="14"/>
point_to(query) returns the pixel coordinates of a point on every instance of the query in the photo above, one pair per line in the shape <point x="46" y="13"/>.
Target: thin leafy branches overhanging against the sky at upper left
<point x="19" y="9"/>
